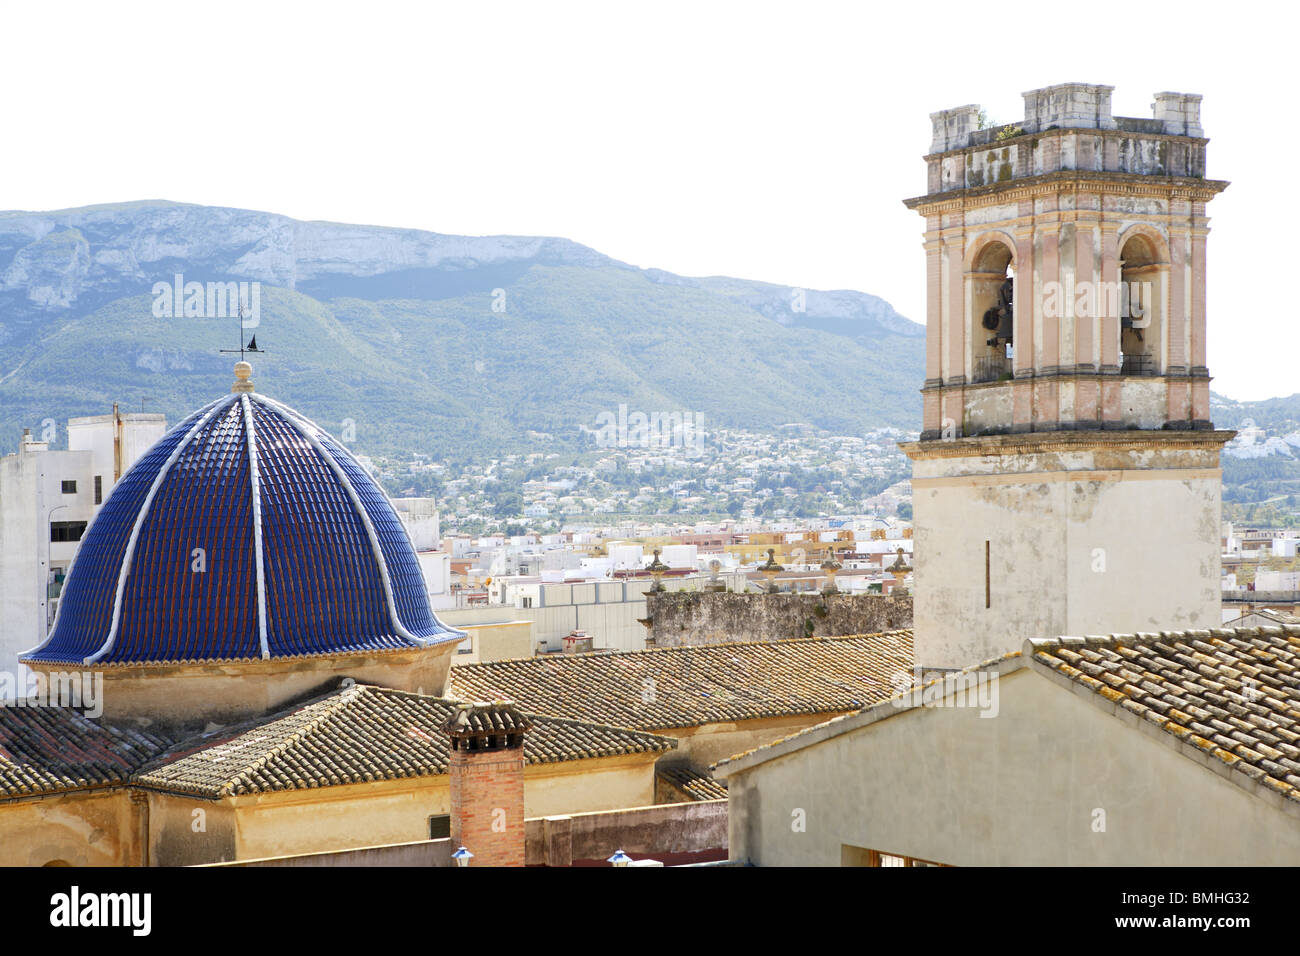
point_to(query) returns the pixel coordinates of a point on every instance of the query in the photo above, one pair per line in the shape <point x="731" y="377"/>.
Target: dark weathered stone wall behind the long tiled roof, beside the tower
<point x="691" y="618"/>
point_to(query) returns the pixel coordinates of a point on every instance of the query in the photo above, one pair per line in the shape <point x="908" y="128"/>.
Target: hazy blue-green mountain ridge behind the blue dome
<point x="410" y="318"/>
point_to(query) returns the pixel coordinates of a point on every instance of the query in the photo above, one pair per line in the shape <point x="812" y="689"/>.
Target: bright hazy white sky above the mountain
<point x="764" y="141"/>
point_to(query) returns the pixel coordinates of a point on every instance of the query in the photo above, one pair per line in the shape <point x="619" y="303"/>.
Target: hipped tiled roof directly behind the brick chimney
<point x="361" y="734"/>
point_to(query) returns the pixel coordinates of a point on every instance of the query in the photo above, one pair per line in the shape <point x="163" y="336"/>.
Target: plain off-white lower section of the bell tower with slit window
<point x="1089" y="542"/>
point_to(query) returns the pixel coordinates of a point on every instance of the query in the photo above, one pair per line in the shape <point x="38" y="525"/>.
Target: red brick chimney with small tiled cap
<point x="488" y="781"/>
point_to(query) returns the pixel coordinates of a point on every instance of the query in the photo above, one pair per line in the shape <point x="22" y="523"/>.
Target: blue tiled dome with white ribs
<point x="301" y="552"/>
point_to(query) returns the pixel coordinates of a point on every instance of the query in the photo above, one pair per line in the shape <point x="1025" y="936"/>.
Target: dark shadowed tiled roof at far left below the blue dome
<point x="53" y="750"/>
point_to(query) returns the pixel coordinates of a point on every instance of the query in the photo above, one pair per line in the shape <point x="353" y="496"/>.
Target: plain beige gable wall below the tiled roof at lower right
<point x="1016" y="790"/>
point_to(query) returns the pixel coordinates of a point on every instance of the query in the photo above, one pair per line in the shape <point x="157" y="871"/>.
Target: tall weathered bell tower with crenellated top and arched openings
<point x="1068" y="477"/>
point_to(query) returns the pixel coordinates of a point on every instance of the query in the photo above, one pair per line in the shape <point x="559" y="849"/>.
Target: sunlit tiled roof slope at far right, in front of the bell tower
<point x="1233" y="694"/>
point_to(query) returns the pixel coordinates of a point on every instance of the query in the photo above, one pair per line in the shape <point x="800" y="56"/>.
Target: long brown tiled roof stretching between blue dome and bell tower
<point x="692" y="686"/>
